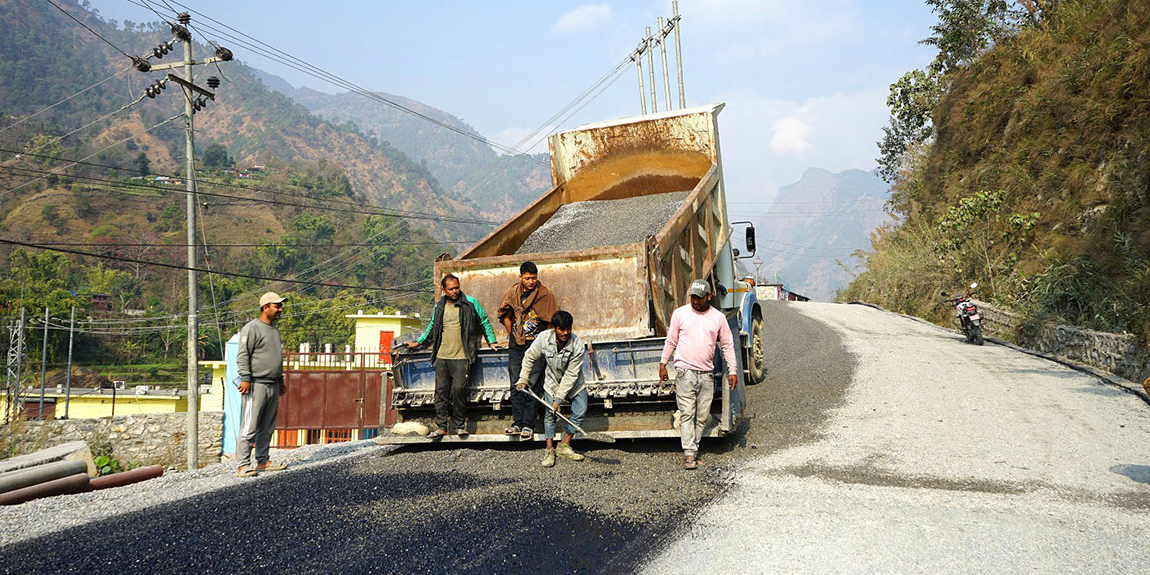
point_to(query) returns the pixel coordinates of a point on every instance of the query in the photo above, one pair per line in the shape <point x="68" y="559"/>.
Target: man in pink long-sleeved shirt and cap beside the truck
<point x="692" y="336"/>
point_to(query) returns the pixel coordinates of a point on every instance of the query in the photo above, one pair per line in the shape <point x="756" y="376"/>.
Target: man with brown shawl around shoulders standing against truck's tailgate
<point x="525" y="311"/>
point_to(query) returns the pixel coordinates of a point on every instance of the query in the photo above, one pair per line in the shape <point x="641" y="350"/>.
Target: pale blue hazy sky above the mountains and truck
<point x="806" y="83"/>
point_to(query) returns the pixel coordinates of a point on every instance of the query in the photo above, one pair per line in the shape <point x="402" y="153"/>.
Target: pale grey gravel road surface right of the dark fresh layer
<point x="945" y="458"/>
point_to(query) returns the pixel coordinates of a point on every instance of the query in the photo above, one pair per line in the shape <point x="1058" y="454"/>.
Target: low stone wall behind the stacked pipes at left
<point x="140" y="439"/>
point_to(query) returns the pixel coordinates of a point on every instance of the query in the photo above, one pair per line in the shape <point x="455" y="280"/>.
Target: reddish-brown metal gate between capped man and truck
<point x="331" y="395"/>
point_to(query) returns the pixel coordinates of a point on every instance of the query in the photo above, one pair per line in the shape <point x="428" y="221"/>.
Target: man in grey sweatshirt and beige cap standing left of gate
<point x="262" y="381"/>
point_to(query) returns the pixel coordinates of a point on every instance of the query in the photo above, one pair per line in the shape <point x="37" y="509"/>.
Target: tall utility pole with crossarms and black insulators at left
<point x="193" y="104"/>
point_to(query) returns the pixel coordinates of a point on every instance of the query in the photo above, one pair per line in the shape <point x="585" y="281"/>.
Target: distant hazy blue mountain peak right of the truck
<point x="808" y="235"/>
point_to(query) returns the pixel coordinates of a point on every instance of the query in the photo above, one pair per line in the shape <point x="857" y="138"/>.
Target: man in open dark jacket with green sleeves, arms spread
<point x="454" y="332"/>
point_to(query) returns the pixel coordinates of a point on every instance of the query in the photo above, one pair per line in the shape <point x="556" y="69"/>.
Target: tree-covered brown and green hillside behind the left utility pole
<point x="303" y="217"/>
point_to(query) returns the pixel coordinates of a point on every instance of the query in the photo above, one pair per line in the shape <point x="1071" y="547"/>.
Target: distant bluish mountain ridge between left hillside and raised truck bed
<point x="501" y="186"/>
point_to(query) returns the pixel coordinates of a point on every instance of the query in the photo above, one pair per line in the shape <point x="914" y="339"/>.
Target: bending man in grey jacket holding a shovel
<point x="563" y="356"/>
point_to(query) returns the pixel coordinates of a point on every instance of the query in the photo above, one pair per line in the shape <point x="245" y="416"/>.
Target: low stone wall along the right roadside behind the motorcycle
<point x="1120" y="354"/>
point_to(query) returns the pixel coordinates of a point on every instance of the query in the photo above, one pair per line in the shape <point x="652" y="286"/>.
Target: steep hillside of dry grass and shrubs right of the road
<point x="1036" y="181"/>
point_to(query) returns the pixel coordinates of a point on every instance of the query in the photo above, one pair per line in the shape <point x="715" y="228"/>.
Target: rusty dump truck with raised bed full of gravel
<point x="638" y="212"/>
